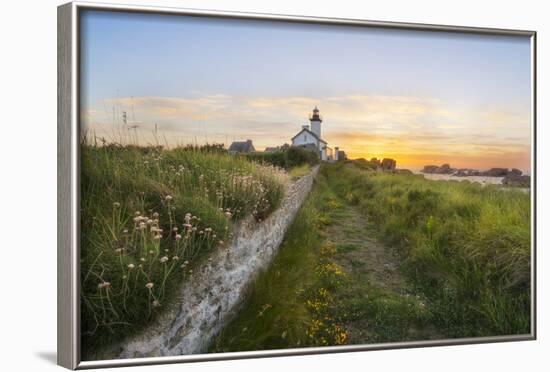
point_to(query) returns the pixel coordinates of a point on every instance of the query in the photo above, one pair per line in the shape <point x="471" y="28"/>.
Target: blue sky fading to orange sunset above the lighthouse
<point x="416" y="96"/>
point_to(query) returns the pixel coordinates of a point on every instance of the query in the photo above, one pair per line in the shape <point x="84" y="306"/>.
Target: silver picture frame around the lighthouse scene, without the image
<point x="68" y="165"/>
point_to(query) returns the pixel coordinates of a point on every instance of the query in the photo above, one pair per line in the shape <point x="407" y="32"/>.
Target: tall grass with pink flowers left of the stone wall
<point x="148" y="217"/>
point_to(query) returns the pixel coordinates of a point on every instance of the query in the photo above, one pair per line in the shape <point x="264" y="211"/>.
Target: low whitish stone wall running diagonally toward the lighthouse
<point x="209" y="297"/>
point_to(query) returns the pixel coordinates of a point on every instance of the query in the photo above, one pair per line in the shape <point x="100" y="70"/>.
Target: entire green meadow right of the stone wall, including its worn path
<point x="385" y="257"/>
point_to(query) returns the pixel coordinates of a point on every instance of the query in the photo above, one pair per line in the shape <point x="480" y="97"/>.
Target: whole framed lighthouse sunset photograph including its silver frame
<point x="235" y="185"/>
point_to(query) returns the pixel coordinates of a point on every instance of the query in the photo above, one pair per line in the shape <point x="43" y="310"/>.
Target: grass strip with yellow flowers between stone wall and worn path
<point x="289" y="304"/>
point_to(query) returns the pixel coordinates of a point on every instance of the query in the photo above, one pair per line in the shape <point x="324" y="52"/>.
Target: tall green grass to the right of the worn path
<point x="467" y="247"/>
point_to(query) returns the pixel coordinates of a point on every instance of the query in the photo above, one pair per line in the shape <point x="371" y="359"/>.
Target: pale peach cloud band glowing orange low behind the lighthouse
<point x="363" y="125"/>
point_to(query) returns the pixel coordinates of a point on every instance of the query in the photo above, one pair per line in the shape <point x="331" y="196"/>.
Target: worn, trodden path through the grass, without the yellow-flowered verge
<point x="376" y="303"/>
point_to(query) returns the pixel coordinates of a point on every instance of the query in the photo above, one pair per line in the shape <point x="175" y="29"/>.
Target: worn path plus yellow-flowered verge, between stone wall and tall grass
<point x="331" y="283"/>
